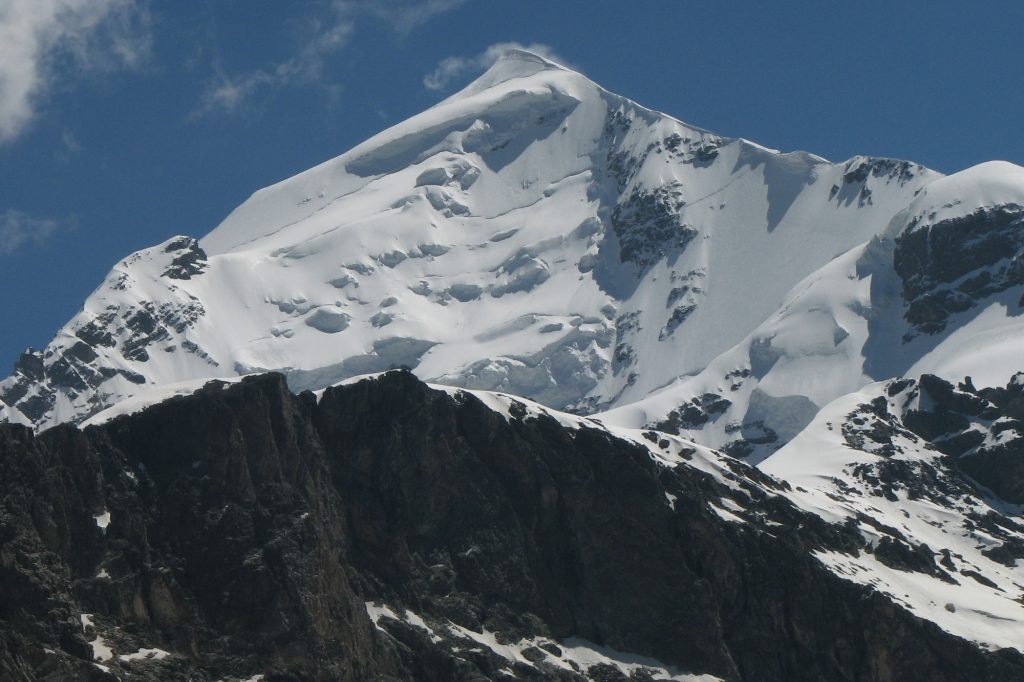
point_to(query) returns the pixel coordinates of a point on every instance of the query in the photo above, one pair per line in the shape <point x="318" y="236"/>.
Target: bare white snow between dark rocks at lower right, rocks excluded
<point x="820" y="465"/>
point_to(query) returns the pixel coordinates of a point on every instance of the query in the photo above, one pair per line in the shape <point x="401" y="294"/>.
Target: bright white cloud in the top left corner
<point x="42" y="40"/>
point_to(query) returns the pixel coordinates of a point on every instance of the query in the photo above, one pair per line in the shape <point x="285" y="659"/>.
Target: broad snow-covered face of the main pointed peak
<point x="533" y="234"/>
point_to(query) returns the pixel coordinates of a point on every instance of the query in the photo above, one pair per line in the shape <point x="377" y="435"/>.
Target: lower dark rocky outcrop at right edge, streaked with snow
<point x="978" y="437"/>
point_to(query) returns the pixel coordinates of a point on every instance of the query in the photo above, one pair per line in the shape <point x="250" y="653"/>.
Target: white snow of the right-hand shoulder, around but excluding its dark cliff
<point x="843" y="327"/>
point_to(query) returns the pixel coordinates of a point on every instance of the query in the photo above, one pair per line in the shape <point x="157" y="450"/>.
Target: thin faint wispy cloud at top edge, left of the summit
<point x="327" y="32"/>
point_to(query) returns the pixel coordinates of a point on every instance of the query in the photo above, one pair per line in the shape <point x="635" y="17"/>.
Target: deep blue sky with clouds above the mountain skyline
<point x="125" y="122"/>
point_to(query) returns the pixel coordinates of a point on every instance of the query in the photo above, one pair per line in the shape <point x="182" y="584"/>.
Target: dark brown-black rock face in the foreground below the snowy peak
<point x="391" y="531"/>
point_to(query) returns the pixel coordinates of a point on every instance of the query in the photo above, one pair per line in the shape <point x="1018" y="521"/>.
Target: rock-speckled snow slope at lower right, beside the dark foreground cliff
<point x="859" y="464"/>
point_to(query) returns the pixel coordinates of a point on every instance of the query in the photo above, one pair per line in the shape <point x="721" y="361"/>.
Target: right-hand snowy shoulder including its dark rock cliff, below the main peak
<point x="940" y="291"/>
